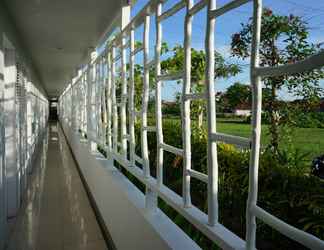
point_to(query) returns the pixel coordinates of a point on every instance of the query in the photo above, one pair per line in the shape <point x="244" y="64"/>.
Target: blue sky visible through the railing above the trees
<point x="312" y="11"/>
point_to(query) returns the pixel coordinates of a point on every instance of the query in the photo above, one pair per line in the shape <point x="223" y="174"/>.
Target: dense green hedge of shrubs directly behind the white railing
<point x="286" y="189"/>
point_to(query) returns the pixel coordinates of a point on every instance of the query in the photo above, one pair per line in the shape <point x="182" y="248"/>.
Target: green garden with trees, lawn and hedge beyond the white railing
<point x="292" y="134"/>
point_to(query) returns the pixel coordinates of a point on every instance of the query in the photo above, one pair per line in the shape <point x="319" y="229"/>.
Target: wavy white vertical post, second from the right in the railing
<point x="211" y="118"/>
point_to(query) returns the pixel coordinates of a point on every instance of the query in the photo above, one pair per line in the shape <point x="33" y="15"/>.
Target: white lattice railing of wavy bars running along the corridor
<point x="80" y="106"/>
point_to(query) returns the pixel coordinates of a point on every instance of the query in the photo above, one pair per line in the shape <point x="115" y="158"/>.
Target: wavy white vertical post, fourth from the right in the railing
<point x="158" y="101"/>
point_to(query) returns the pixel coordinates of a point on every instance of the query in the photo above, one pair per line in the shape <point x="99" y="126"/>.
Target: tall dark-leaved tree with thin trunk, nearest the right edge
<point x="283" y="41"/>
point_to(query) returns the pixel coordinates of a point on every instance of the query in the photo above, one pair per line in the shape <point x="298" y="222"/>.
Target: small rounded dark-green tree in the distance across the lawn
<point x="238" y="94"/>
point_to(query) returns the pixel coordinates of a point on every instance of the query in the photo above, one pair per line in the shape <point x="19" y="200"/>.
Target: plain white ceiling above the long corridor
<point x="59" y="34"/>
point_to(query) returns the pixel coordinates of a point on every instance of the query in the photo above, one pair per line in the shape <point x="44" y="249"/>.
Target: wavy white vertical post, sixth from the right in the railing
<point x="131" y="108"/>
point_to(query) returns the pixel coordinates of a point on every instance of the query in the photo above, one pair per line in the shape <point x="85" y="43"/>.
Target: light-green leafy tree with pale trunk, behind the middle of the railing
<point x="198" y="62"/>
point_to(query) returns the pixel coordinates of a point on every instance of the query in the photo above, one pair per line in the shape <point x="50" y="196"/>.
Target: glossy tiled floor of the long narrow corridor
<point x="56" y="213"/>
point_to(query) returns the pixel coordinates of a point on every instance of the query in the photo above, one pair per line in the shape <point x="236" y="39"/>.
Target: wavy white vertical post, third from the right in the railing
<point x="186" y="127"/>
